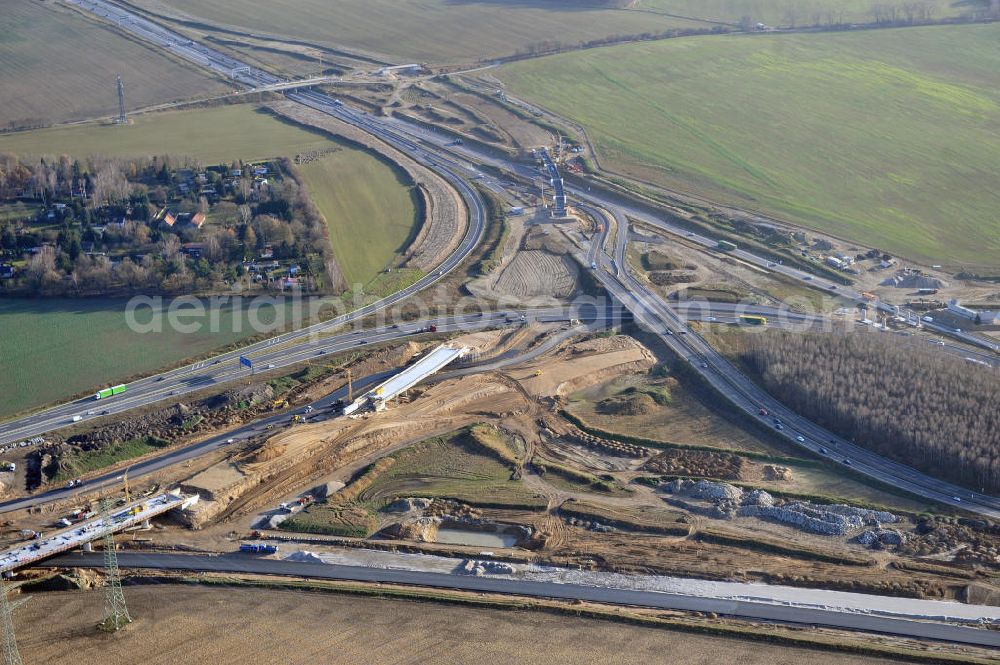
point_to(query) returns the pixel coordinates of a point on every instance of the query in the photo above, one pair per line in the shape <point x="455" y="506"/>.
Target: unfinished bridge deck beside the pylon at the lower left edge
<point x="125" y="517"/>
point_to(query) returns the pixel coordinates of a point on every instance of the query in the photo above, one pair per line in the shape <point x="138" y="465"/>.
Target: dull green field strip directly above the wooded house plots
<point x="214" y="135"/>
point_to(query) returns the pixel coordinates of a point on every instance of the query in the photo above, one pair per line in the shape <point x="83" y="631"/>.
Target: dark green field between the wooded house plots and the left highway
<point x="53" y="349"/>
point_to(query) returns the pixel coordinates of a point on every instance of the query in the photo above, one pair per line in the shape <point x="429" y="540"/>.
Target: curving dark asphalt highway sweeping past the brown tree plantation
<point x="656" y="316"/>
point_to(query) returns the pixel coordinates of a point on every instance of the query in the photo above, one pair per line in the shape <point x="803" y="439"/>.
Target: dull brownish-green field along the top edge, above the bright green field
<point x="432" y="31"/>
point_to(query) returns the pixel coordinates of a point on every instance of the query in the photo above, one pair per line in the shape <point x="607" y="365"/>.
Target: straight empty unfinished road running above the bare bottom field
<point x="746" y="609"/>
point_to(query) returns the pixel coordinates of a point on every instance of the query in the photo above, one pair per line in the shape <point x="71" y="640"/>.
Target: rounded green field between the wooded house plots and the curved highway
<point x="369" y="207"/>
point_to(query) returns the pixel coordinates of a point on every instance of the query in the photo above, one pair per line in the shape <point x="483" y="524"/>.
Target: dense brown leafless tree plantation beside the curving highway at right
<point x="924" y="408"/>
